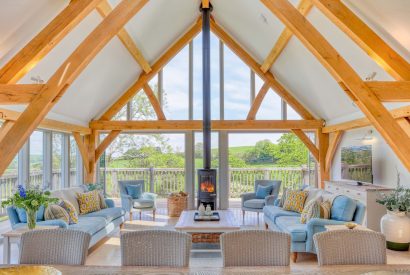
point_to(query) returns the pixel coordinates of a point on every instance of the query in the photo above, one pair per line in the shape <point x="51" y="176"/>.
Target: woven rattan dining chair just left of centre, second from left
<point x="155" y="248"/>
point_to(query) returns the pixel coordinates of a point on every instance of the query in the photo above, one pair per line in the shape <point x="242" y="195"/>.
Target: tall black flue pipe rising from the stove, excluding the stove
<point x="206" y="83"/>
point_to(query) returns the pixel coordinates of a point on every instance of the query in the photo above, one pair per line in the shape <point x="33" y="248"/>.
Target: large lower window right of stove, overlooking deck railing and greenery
<point x="252" y="156"/>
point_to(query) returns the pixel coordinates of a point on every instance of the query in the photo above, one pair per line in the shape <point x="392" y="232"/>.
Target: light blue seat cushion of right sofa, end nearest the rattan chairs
<point x="292" y="225"/>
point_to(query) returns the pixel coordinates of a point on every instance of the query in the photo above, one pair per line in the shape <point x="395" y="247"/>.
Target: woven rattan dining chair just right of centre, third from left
<point x="255" y="248"/>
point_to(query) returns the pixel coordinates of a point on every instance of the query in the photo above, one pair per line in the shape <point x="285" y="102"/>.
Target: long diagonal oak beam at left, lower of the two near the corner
<point x="63" y="77"/>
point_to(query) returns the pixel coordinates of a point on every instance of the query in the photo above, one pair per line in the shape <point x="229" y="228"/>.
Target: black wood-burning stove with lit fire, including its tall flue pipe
<point x="206" y="176"/>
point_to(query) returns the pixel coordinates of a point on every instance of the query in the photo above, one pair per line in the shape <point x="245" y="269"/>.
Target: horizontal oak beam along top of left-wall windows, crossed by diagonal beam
<point x="46" y="124"/>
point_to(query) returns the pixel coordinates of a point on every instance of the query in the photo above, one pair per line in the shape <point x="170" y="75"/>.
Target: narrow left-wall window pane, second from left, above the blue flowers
<point x="36" y="159"/>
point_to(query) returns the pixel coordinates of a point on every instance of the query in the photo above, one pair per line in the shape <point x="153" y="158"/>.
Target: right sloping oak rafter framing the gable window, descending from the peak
<point x="266" y="77"/>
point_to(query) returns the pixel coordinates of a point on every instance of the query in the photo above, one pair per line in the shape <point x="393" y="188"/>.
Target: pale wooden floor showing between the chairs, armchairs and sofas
<point x="108" y="252"/>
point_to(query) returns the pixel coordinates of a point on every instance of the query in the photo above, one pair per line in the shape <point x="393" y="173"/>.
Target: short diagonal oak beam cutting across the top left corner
<point x="46" y="40"/>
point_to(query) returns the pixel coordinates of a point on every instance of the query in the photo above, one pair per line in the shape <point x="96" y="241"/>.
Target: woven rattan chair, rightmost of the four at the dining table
<point x="339" y="247"/>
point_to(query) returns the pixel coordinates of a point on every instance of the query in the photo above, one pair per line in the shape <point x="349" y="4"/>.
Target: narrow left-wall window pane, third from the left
<point x="57" y="154"/>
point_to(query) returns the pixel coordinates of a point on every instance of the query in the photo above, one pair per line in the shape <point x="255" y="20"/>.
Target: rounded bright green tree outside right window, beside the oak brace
<point x="290" y="151"/>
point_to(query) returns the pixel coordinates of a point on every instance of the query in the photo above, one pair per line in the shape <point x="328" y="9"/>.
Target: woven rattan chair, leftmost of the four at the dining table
<point x="54" y="246"/>
